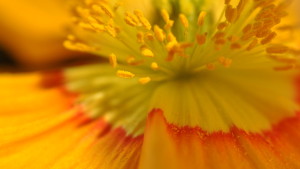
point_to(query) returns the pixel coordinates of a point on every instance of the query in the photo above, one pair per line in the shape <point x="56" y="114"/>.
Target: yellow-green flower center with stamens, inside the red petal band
<point x="192" y="65"/>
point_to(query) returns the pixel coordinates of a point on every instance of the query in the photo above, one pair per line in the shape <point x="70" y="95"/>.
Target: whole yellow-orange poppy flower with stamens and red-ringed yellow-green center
<point x="198" y="86"/>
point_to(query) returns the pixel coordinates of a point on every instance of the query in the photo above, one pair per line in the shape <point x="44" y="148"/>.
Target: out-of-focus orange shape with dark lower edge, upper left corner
<point x="32" y="33"/>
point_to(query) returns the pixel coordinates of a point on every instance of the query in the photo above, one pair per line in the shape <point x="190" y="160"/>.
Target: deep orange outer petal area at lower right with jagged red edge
<point x="169" y="146"/>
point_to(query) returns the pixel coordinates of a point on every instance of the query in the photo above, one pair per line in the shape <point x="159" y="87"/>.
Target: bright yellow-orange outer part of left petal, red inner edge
<point x="41" y="128"/>
